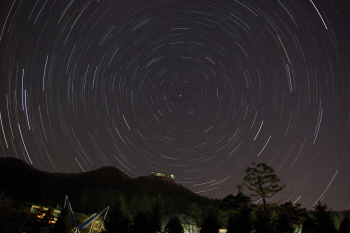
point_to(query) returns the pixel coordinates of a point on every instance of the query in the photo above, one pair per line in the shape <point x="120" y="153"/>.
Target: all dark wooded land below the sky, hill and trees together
<point x="140" y="207"/>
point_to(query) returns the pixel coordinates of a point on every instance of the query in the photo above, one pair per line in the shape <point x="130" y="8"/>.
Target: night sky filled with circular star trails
<point x="196" y="88"/>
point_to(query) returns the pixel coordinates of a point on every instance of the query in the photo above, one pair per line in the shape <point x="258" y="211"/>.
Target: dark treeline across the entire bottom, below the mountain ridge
<point x="236" y="213"/>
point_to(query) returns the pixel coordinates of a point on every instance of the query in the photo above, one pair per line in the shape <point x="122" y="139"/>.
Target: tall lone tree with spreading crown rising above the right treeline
<point x="263" y="182"/>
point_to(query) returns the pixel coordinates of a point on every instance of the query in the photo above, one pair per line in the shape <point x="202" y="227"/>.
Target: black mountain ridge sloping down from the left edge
<point x="25" y="183"/>
